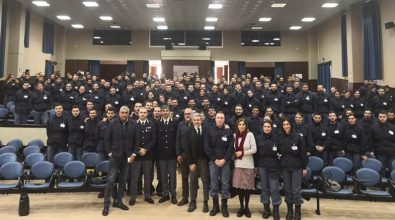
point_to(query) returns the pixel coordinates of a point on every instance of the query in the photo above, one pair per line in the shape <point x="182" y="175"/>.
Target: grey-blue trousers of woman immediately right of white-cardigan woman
<point x="270" y="182"/>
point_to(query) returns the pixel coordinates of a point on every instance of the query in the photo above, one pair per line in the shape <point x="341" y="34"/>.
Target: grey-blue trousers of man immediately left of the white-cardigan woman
<point x="220" y="175"/>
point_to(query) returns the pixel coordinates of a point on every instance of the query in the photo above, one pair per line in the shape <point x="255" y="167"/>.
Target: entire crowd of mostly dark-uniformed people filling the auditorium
<point x="224" y="133"/>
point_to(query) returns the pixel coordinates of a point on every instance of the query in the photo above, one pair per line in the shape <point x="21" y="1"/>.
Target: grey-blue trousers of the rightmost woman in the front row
<point x="293" y="185"/>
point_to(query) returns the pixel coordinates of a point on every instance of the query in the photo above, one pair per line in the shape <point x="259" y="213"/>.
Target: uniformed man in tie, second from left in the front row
<point x="144" y="152"/>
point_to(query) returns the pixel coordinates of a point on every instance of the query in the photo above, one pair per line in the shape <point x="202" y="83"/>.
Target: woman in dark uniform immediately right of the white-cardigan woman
<point x="269" y="170"/>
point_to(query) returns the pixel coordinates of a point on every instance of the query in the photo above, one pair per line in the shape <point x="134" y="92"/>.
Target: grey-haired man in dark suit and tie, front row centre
<point x="196" y="159"/>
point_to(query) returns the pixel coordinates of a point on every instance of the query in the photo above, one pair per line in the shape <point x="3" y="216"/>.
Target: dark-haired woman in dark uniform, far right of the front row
<point x="293" y="163"/>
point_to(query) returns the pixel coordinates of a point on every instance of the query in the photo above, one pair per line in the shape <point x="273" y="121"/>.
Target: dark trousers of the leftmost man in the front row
<point x="117" y="165"/>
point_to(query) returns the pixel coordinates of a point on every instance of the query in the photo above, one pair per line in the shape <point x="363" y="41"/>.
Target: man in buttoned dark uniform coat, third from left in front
<point x="166" y="149"/>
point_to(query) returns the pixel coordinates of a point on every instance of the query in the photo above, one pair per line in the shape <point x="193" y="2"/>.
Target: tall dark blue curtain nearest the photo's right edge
<point x="373" y="68"/>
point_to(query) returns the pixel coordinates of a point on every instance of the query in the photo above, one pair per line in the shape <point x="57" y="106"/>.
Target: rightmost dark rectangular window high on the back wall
<point x="261" y="38"/>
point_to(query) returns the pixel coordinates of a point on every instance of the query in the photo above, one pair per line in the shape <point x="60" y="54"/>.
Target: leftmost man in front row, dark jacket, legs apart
<point x="120" y="138"/>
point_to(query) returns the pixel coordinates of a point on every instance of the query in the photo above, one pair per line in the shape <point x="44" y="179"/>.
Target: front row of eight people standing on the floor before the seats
<point x="210" y="152"/>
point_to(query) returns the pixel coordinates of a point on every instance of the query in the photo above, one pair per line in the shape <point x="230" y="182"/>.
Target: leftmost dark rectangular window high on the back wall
<point x="112" y="37"/>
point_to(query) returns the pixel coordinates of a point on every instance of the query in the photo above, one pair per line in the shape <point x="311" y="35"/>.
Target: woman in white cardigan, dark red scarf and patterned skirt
<point x="244" y="172"/>
